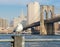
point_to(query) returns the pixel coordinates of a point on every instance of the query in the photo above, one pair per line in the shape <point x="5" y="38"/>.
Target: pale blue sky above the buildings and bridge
<point x="12" y="8"/>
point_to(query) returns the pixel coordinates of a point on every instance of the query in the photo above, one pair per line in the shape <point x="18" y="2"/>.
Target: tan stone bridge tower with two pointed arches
<point x="46" y="28"/>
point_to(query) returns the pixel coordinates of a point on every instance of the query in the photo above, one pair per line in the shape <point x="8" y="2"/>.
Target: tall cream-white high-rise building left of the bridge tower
<point x="33" y="12"/>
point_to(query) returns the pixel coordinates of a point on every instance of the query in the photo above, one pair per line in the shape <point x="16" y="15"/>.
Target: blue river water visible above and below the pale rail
<point x="32" y="44"/>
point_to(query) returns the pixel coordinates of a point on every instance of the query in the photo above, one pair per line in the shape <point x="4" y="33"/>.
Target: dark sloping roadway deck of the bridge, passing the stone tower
<point x="48" y="21"/>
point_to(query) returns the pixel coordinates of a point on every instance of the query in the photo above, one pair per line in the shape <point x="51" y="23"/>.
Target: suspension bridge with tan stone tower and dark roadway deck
<point x="46" y="25"/>
